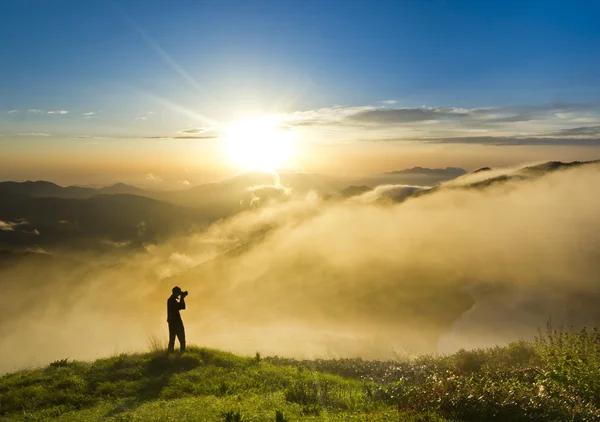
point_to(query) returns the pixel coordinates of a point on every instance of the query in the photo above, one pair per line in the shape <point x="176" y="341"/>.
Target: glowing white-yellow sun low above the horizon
<point x="259" y="144"/>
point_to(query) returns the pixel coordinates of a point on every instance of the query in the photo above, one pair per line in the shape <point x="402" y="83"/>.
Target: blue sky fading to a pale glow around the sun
<point x="130" y="69"/>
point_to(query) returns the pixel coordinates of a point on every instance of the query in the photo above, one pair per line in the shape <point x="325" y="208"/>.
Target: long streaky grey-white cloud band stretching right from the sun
<point x="540" y="124"/>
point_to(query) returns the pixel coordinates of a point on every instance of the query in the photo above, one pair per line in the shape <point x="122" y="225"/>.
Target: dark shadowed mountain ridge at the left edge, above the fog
<point x="48" y="221"/>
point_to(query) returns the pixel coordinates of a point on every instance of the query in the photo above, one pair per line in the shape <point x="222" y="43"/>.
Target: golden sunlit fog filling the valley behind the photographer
<point x="303" y="276"/>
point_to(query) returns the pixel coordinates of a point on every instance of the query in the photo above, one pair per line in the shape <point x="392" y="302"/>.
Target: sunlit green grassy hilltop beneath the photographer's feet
<point x="554" y="378"/>
